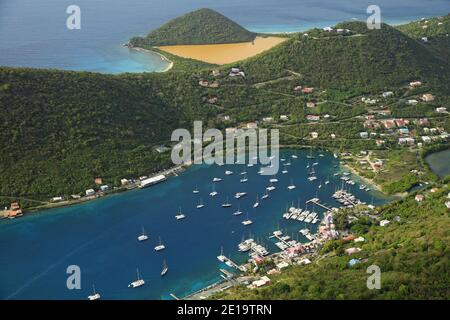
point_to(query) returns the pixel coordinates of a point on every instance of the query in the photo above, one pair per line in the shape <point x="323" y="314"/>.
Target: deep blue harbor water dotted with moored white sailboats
<point x="100" y="236"/>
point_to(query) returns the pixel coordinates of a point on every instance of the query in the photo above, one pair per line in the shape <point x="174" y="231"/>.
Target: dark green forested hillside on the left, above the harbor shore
<point x="62" y="129"/>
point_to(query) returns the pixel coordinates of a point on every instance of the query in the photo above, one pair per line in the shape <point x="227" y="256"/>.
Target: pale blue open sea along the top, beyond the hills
<point x="34" y="34"/>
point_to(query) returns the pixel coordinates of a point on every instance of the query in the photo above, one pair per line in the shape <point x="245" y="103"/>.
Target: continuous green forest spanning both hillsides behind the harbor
<point x="62" y="129"/>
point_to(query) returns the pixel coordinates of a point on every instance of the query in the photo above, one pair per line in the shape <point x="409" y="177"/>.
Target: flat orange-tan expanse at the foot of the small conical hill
<point x="224" y="53"/>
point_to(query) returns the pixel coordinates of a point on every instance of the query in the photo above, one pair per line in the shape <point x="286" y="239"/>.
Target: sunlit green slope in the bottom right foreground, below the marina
<point x="411" y="253"/>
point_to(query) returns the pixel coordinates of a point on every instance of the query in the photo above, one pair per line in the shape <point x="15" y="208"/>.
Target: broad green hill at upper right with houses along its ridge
<point x="376" y="59"/>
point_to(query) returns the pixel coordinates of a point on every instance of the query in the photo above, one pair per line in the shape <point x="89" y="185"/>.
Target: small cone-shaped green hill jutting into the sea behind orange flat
<point x="203" y="26"/>
